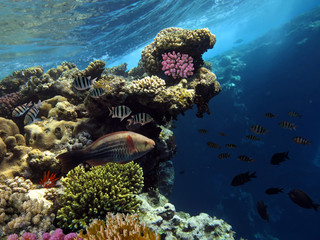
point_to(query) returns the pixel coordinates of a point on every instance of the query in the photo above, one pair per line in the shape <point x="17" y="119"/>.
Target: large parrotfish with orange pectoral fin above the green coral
<point x="117" y="147"/>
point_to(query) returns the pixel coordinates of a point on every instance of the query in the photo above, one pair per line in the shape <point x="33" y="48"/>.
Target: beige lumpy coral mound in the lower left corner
<point x="18" y="212"/>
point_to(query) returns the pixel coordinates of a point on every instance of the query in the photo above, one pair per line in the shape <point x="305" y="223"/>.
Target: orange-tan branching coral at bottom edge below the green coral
<point x="119" y="226"/>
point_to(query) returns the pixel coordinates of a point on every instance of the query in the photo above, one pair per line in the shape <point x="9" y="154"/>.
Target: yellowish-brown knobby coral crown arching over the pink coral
<point x="191" y="42"/>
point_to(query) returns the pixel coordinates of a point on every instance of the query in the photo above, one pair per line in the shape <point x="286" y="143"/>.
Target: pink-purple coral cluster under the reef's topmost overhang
<point x="177" y="64"/>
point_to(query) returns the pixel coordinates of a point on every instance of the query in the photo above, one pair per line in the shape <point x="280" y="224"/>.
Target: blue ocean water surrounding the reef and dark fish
<point x="277" y="77"/>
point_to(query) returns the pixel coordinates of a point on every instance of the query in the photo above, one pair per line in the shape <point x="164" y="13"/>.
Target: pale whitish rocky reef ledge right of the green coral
<point x="162" y="218"/>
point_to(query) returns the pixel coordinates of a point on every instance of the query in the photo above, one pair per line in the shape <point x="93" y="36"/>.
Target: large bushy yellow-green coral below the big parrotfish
<point x="92" y="194"/>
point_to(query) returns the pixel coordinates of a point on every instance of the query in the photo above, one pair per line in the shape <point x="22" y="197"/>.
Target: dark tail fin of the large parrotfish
<point x="70" y="160"/>
